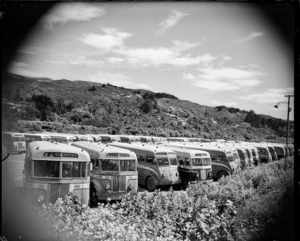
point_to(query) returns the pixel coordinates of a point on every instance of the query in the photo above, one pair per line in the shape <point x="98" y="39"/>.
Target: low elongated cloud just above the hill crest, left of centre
<point x="116" y="79"/>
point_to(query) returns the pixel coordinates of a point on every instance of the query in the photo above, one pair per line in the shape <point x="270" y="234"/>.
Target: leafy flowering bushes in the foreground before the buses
<point x="255" y="204"/>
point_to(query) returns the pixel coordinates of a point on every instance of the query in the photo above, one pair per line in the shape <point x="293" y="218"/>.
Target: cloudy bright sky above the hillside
<point x="209" y="53"/>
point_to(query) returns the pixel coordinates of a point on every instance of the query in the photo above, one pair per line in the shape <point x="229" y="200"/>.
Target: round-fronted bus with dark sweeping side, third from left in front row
<point x="157" y="166"/>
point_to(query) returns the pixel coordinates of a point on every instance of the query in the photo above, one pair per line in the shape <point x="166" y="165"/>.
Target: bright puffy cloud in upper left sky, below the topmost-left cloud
<point x="112" y="38"/>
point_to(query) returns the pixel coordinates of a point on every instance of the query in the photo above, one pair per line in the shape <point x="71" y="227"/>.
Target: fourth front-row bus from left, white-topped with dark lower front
<point x="194" y="165"/>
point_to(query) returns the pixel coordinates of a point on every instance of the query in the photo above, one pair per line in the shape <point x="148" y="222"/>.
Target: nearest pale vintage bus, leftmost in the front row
<point x="52" y="170"/>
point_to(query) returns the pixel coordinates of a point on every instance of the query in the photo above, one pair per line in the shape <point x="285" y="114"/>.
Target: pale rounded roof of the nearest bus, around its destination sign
<point x="39" y="148"/>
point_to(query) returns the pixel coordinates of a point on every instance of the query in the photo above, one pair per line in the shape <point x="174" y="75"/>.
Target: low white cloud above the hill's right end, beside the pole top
<point x="268" y="96"/>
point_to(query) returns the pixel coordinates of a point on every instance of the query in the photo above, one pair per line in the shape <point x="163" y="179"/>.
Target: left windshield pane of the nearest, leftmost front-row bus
<point x="46" y="169"/>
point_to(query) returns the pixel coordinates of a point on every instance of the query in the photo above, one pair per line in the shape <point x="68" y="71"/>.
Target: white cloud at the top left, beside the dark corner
<point x="66" y="12"/>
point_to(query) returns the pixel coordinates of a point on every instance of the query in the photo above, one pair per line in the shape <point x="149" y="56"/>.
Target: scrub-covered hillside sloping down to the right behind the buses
<point x="86" y="107"/>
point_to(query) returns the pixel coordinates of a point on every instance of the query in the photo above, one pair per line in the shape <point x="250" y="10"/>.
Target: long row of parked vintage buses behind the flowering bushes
<point x="97" y="171"/>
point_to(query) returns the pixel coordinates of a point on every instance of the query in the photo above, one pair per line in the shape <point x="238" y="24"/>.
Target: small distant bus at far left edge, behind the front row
<point x="14" y="142"/>
